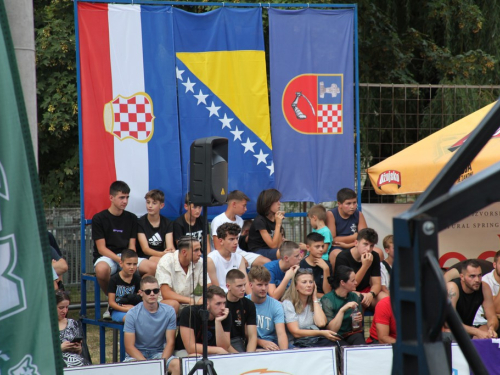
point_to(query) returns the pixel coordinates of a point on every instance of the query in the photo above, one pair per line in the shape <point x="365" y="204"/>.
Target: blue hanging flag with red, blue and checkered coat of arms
<point x="312" y="102"/>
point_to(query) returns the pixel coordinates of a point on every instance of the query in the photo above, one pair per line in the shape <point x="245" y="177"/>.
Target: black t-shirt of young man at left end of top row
<point x="115" y="230"/>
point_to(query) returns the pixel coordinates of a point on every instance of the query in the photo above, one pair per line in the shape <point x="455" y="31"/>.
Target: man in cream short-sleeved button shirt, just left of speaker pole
<point x="180" y="275"/>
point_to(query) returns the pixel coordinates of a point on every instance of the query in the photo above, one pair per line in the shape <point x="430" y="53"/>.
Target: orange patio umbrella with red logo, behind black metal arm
<point x="413" y="169"/>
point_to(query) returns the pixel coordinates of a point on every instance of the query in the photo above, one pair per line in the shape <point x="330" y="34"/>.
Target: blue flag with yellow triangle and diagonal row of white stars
<point x="222" y="91"/>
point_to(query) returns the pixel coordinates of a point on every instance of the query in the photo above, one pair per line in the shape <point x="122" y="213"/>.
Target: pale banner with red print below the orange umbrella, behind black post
<point x="476" y="236"/>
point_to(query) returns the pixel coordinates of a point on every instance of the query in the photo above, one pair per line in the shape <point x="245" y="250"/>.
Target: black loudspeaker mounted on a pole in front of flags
<point x="208" y="182"/>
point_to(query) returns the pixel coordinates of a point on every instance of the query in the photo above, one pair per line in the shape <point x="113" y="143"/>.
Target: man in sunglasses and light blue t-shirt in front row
<point x="150" y="328"/>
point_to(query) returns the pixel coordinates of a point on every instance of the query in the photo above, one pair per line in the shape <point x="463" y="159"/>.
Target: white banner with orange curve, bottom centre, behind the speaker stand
<point x="285" y="362"/>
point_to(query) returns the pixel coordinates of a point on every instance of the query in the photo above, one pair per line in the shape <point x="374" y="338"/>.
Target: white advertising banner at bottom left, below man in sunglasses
<point x="152" y="367"/>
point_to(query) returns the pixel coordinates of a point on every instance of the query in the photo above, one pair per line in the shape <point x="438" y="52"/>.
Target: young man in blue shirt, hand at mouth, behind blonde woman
<point x="283" y="270"/>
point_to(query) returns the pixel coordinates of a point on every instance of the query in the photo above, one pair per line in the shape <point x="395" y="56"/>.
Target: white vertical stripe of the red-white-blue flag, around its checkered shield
<point x="127" y="70"/>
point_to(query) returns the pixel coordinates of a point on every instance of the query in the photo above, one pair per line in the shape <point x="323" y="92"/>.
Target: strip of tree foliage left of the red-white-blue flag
<point x="57" y="101"/>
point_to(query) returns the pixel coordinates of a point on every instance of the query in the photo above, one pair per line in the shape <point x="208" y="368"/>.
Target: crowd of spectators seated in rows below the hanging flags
<point x="265" y="292"/>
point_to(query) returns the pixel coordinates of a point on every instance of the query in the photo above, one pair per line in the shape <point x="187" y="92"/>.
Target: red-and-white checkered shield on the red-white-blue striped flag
<point x="130" y="117"/>
